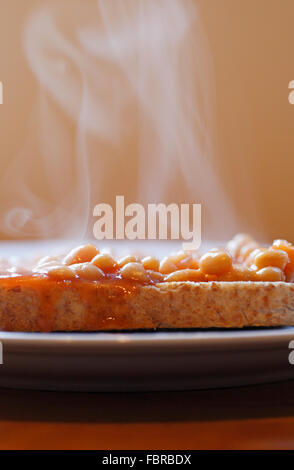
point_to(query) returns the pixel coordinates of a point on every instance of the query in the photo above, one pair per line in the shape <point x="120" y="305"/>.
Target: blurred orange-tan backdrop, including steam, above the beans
<point x="156" y="100"/>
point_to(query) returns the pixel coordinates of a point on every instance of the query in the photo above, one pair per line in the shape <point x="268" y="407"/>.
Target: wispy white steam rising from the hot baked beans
<point x="125" y="106"/>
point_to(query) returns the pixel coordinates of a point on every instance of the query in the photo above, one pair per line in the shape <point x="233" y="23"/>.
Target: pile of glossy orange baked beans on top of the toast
<point x="243" y="259"/>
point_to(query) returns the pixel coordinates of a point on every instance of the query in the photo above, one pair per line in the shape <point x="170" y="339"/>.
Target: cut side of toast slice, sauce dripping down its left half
<point x="44" y="305"/>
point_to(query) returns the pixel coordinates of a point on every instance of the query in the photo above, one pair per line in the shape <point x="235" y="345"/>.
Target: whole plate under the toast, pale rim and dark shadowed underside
<point x="136" y="361"/>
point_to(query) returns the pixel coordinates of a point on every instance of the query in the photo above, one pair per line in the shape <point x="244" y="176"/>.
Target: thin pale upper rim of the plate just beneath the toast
<point x="257" y="338"/>
